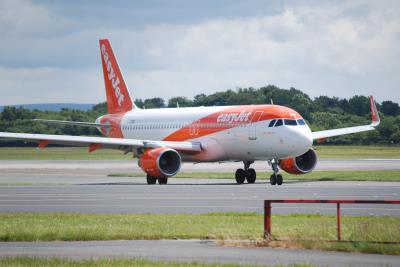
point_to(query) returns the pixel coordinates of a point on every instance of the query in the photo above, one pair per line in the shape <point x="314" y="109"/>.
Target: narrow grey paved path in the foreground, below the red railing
<point x="192" y="250"/>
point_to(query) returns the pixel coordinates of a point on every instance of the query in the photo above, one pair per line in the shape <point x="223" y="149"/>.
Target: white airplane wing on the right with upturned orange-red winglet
<point x="349" y="130"/>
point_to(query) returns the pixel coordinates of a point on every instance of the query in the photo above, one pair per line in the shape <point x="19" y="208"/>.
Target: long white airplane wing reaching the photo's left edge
<point x="100" y="142"/>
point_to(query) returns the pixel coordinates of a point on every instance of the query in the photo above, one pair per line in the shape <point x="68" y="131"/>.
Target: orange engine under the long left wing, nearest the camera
<point x="160" y="162"/>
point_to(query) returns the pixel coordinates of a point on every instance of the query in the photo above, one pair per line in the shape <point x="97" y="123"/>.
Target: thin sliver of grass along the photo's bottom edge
<point x="54" y="262"/>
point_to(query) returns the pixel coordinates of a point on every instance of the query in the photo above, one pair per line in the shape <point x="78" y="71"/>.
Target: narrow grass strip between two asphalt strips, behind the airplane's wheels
<point x="372" y="175"/>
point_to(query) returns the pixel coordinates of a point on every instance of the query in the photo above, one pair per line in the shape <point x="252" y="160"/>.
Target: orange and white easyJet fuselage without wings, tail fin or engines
<point x="225" y="133"/>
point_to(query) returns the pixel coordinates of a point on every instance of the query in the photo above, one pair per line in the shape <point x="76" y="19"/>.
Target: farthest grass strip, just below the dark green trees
<point x="80" y="153"/>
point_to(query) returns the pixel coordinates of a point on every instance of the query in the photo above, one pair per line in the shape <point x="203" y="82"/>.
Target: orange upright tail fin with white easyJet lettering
<point x="118" y="98"/>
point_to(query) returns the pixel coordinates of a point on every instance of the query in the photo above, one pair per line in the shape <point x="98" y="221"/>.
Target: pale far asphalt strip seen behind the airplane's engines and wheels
<point x="94" y="167"/>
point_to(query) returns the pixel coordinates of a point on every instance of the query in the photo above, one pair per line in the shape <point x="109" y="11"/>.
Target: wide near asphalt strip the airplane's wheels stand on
<point x="132" y="195"/>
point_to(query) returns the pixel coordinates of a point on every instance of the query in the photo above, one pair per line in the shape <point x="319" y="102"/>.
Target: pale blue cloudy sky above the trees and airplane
<point x="50" y="52"/>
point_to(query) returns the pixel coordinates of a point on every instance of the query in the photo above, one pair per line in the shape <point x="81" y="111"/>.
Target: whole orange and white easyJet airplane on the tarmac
<point x="162" y="139"/>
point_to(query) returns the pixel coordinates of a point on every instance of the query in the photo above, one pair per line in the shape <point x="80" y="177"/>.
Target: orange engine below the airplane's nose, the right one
<point x="301" y="164"/>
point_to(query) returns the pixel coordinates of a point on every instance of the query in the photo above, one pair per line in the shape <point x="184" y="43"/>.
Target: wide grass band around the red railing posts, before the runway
<point x="367" y="234"/>
